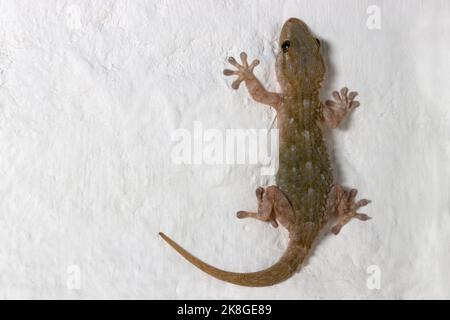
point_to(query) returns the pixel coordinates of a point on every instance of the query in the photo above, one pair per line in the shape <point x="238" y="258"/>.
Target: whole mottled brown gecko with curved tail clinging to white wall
<point x="306" y="197"/>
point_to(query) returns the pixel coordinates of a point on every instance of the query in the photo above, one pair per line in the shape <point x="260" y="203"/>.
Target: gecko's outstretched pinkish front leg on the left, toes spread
<point x="255" y="88"/>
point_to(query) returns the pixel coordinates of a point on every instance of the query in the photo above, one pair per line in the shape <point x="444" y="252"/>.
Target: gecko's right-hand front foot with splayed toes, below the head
<point x="335" y="111"/>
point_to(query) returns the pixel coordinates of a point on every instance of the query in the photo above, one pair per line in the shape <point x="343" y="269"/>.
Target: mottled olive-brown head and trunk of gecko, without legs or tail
<point x="304" y="173"/>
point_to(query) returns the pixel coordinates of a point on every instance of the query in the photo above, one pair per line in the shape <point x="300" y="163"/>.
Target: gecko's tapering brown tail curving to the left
<point x="280" y="271"/>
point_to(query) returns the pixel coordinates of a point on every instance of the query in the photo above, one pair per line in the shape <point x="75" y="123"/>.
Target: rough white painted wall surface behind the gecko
<point x="91" y="91"/>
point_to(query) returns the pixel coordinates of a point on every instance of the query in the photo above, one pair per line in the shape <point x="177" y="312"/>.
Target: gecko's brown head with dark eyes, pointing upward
<point x="299" y="61"/>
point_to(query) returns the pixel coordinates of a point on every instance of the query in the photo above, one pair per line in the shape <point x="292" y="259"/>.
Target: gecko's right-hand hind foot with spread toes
<point x="345" y="207"/>
